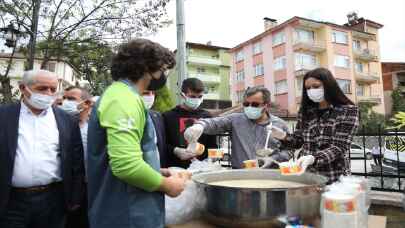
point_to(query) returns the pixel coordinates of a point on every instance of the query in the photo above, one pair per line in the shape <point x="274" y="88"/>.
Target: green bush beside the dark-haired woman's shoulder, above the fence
<point x="370" y="121"/>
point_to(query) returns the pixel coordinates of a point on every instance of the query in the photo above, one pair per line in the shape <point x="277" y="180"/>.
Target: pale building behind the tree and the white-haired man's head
<point x="67" y="74"/>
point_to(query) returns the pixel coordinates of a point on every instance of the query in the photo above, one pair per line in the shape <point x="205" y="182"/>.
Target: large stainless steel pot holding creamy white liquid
<point x="259" y="207"/>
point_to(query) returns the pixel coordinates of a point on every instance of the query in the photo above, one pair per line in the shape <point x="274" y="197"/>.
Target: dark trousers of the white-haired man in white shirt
<point x="35" y="209"/>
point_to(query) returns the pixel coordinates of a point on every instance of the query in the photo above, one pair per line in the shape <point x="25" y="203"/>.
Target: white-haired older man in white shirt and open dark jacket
<point x="41" y="157"/>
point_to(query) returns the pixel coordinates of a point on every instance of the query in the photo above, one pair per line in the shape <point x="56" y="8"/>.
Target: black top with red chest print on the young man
<point x="176" y="122"/>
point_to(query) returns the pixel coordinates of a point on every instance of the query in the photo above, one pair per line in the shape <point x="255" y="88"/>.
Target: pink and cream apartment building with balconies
<point x="279" y="57"/>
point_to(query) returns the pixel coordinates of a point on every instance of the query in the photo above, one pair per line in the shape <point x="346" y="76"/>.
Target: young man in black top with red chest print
<point x="180" y="118"/>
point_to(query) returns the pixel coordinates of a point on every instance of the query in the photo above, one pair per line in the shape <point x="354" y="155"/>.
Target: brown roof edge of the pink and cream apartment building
<point x="293" y="19"/>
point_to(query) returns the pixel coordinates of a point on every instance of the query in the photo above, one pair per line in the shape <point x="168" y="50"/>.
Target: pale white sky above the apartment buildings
<point x="230" y="22"/>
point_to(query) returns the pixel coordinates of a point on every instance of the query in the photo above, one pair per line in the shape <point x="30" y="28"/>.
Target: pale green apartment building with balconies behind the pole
<point x="210" y="64"/>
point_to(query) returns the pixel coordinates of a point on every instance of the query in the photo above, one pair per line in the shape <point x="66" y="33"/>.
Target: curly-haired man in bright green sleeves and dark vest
<point x="125" y="184"/>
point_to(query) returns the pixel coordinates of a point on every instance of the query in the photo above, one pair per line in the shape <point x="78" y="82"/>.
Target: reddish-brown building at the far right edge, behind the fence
<point x="393" y="78"/>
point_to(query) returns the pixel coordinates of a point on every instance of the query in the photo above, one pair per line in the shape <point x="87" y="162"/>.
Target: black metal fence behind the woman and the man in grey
<point x="385" y="175"/>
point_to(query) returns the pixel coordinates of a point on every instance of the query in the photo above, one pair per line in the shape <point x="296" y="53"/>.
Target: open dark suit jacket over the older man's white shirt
<point x="71" y="149"/>
